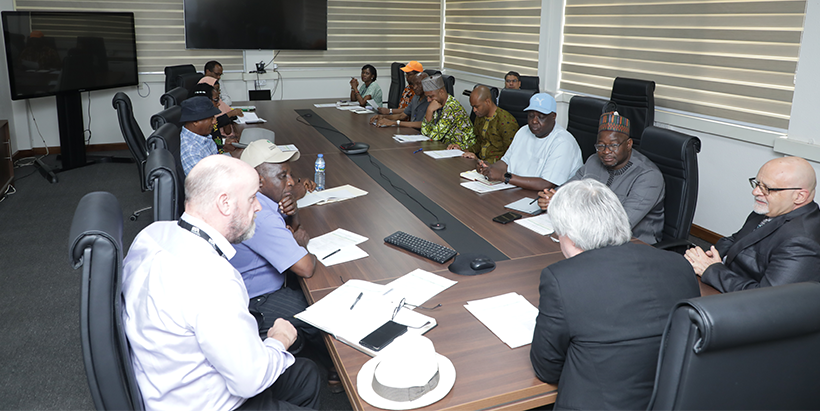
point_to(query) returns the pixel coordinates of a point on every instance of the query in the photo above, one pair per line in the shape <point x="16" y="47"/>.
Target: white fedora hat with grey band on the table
<point x="407" y="374"/>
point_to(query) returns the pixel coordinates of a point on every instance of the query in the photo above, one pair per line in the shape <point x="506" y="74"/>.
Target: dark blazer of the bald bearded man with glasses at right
<point x="783" y="251"/>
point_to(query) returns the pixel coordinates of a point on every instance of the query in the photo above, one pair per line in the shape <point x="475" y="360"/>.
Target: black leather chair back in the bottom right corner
<point x="746" y="350"/>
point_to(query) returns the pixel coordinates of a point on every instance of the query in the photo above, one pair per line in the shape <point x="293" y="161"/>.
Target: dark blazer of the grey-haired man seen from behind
<point x="600" y="320"/>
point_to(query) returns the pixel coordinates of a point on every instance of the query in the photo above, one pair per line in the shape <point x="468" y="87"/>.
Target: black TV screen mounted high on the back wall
<point x="256" y="24"/>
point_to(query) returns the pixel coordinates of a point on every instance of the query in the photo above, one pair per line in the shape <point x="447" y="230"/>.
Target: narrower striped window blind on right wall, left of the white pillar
<point x="492" y="37"/>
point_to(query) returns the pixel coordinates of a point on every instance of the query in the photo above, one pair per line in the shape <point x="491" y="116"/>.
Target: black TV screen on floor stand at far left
<point x="50" y="53"/>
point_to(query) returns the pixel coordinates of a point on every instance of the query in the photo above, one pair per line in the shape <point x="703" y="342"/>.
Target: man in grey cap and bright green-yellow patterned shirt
<point x="445" y="119"/>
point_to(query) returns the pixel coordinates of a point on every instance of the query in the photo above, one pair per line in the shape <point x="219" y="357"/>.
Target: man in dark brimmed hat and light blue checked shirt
<point x="198" y="120"/>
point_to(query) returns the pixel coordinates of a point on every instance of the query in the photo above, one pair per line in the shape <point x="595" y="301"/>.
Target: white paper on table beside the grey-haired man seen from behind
<point x="509" y="316"/>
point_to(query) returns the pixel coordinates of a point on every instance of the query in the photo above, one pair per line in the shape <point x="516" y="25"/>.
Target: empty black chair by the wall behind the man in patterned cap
<point x="636" y="101"/>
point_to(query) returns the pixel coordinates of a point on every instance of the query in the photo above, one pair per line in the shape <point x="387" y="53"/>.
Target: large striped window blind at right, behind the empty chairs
<point x="728" y="59"/>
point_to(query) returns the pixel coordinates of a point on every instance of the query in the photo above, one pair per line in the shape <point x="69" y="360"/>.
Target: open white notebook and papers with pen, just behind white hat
<point x="356" y="309"/>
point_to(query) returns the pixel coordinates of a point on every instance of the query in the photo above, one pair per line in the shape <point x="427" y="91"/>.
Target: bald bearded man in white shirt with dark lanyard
<point x="194" y="343"/>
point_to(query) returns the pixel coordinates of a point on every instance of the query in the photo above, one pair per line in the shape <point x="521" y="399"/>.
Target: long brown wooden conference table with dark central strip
<point x="406" y="191"/>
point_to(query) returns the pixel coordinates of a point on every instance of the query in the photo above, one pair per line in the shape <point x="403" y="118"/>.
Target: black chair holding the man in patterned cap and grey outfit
<point x="676" y="155"/>
